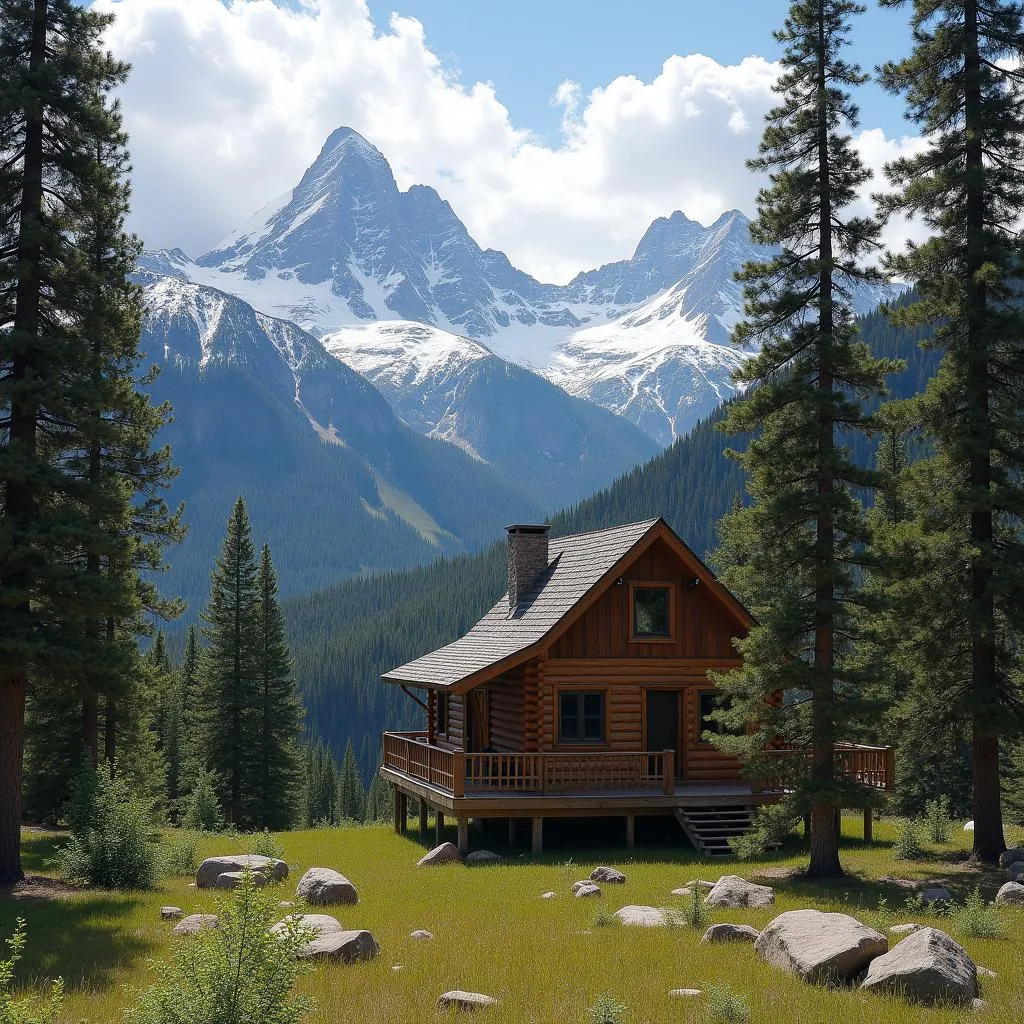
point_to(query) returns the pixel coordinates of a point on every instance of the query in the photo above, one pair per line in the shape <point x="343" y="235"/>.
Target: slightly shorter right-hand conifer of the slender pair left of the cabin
<point x="274" y="788"/>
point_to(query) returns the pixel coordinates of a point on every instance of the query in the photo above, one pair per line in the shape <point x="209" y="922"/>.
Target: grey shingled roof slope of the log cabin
<point x="576" y="566"/>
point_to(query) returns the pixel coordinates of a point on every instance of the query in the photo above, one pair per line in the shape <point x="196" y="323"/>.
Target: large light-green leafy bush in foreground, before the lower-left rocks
<point x="239" y="973"/>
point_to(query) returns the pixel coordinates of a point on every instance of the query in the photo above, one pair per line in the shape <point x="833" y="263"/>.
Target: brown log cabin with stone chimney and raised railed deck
<point x="585" y="693"/>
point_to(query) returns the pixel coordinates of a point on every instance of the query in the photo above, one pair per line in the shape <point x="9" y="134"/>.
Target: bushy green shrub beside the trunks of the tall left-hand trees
<point x="110" y="845"/>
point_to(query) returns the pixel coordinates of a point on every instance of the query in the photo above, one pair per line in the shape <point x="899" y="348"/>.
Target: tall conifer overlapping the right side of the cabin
<point x="795" y="554"/>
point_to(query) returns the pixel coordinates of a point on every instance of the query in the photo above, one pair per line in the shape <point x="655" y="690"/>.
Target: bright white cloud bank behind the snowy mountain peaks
<point x="230" y="103"/>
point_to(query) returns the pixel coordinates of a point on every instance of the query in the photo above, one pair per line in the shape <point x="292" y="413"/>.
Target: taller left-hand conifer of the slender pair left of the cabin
<point x="230" y="667"/>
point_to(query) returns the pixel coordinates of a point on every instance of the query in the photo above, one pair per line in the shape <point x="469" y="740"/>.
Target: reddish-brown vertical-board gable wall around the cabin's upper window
<point x="701" y="627"/>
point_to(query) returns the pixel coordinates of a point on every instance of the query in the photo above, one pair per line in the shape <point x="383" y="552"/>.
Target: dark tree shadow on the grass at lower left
<point x="84" y="938"/>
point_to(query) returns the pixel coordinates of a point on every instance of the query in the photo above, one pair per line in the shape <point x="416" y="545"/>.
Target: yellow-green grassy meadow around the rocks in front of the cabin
<point x="545" y="960"/>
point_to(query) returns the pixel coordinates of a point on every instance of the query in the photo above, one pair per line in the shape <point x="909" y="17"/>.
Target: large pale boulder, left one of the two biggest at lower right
<point x="820" y="948"/>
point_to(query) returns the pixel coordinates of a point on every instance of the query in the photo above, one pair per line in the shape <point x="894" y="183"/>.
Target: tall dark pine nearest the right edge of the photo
<point x="968" y="187"/>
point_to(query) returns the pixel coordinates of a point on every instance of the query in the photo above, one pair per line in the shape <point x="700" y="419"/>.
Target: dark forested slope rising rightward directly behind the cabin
<point x="344" y="638"/>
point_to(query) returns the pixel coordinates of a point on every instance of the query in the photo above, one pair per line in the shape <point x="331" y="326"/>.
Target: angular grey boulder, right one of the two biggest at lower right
<point x="927" y="967"/>
